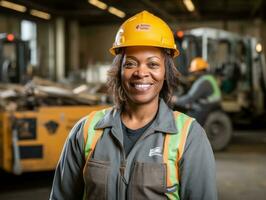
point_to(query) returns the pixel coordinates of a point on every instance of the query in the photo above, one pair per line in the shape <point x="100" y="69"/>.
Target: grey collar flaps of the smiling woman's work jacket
<point x="164" y="121"/>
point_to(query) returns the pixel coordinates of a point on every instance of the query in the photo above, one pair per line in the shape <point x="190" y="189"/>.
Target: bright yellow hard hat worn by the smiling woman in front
<point x="145" y="29"/>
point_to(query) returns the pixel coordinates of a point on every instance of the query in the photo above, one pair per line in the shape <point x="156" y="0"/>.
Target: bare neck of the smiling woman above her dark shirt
<point x="136" y="116"/>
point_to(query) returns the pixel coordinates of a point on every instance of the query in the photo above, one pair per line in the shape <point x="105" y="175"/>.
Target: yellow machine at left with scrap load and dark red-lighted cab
<point x="35" y="118"/>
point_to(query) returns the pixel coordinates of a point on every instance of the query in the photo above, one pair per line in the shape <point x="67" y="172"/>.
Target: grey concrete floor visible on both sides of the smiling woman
<point x="241" y="173"/>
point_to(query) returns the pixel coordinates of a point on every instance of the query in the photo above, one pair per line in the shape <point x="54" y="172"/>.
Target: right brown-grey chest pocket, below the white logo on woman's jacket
<point x="148" y="181"/>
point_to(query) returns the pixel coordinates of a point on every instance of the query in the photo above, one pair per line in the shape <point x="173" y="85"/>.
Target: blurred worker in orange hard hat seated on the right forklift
<point x="204" y="94"/>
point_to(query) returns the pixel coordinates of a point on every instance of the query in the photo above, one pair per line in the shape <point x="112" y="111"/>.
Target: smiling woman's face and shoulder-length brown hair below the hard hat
<point x="140" y="76"/>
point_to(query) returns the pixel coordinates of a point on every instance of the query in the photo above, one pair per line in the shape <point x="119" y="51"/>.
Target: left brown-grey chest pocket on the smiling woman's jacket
<point x="96" y="178"/>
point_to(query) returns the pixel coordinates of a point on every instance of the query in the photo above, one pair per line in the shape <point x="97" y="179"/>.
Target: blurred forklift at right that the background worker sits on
<point x="238" y="63"/>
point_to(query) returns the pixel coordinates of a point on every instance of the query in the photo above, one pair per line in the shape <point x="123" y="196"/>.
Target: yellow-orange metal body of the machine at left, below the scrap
<point x="33" y="140"/>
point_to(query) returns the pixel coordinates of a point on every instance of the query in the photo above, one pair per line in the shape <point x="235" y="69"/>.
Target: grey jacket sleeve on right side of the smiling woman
<point x="197" y="167"/>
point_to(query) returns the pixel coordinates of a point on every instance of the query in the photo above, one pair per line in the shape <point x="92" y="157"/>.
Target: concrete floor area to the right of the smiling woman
<point x="241" y="169"/>
